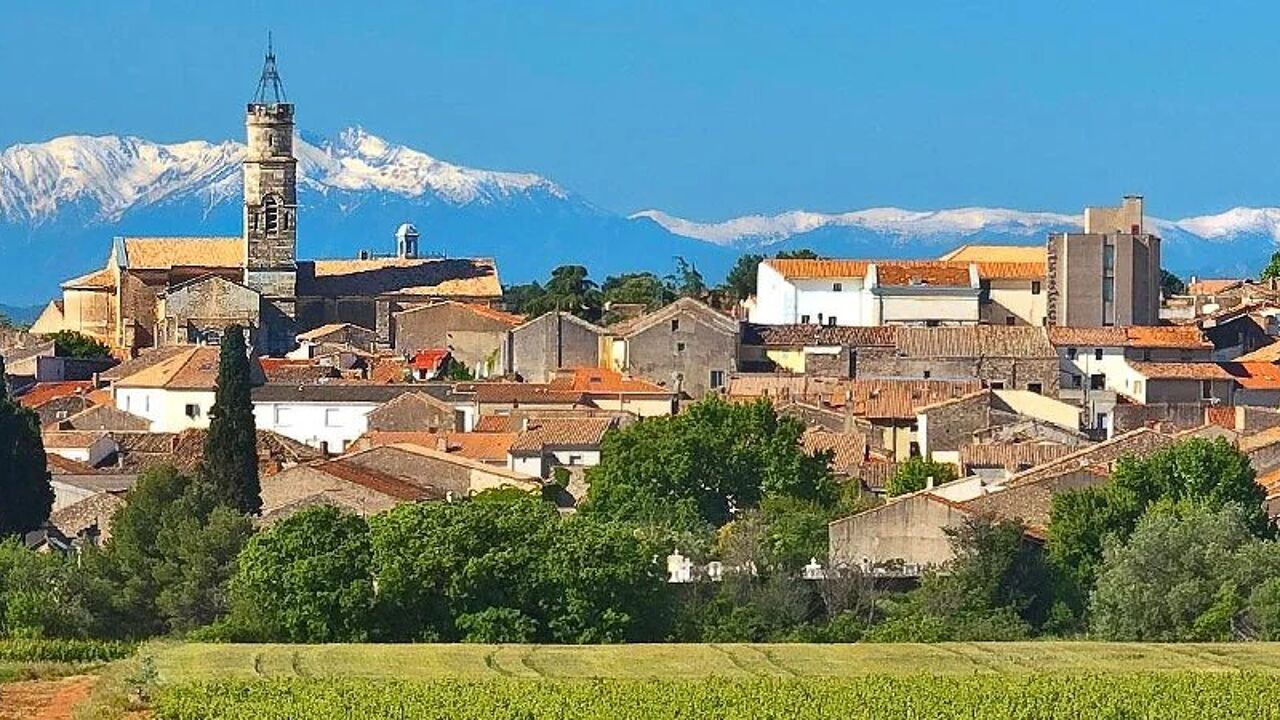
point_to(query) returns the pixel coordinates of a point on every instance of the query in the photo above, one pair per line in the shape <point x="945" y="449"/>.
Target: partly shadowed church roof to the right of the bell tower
<point x="428" y="277"/>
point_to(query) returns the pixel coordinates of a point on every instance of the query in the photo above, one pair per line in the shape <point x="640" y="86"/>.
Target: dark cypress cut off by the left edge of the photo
<point x="26" y="494"/>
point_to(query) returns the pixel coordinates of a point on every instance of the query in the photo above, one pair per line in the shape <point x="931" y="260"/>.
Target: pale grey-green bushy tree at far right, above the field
<point x="1188" y="572"/>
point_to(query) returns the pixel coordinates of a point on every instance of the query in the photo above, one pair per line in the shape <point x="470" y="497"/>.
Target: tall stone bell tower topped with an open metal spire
<point x="272" y="208"/>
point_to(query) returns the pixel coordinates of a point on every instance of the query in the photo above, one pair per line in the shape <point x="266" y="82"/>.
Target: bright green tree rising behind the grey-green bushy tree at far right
<point x="1199" y="471"/>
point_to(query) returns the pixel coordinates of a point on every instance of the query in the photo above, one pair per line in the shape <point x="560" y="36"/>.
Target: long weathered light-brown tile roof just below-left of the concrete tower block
<point x="975" y="341"/>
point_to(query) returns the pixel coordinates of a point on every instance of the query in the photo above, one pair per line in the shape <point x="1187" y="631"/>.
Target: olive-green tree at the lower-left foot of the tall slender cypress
<point x="172" y="552"/>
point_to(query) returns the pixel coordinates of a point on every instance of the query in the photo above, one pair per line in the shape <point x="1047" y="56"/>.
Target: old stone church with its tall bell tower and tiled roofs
<point x="185" y="290"/>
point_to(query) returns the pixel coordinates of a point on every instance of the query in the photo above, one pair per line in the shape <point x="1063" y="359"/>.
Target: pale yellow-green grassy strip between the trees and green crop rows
<point x="207" y="663"/>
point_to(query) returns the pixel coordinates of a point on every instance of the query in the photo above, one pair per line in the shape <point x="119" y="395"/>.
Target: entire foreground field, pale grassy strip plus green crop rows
<point x="802" y="682"/>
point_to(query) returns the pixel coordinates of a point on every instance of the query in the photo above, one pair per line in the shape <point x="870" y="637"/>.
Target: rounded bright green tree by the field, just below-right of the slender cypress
<point x="307" y="580"/>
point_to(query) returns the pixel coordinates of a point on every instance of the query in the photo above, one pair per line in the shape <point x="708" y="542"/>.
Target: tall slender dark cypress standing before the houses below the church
<point x="231" y="446"/>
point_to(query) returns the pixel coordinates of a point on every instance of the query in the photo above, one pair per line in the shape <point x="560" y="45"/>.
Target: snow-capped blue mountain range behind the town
<point x="63" y="200"/>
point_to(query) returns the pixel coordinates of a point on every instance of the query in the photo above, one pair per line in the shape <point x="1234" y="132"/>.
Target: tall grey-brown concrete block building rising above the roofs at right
<point x="1108" y="275"/>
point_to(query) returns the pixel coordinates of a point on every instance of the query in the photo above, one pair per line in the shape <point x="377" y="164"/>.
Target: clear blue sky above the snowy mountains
<point x="706" y="110"/>
